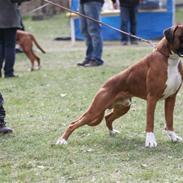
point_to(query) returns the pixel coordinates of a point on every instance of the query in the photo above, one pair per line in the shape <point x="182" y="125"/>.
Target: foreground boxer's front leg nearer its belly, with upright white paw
<point x="150" y="137"/>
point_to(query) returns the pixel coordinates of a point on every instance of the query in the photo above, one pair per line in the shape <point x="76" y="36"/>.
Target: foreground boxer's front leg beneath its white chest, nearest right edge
<point x="169" y="108"/>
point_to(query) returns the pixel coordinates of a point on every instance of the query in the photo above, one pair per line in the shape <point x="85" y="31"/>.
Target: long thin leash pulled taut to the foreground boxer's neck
<point x="90" y="18"/>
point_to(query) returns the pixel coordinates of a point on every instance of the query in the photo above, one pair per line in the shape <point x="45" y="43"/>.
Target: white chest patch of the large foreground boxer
<point x="174" y="78"/>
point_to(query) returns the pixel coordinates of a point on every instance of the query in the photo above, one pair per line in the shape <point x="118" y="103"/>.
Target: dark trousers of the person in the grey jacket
<point x="7" y="50"/>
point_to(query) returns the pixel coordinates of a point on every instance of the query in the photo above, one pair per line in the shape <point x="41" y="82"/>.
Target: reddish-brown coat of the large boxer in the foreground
<point x="146" y="80"/>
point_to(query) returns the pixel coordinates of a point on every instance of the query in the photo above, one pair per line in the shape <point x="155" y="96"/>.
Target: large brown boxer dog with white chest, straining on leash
<point x="156" y="77"/>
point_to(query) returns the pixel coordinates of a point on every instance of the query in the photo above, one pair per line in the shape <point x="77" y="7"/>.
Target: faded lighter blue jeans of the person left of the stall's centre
<point x="92" y="31"/>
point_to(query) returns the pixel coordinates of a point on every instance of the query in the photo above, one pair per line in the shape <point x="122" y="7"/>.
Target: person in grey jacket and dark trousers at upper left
<point x="9" y="23"/>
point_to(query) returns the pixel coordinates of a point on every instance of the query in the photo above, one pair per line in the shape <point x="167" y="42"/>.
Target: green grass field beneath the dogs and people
<point x="41" y="104"/>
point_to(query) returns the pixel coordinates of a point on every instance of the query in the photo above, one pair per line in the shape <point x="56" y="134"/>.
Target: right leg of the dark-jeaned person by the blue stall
<point x="133" y="23"/>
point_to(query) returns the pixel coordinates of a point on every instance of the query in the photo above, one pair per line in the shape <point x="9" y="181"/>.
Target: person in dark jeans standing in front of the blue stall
<point x="128" y="13"/>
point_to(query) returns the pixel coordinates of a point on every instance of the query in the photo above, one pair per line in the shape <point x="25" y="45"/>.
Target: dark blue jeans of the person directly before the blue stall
<point x="128" y="16"/>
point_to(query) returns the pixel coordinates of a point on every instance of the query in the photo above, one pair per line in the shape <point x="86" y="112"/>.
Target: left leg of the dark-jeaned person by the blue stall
<point x="124" y="14"/>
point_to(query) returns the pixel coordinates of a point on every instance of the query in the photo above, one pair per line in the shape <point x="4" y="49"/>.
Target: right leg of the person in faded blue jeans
<point x="93" y="9"/>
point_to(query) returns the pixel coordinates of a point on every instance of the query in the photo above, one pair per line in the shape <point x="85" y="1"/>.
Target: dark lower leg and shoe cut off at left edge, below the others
<point x="3" y="128"/>
